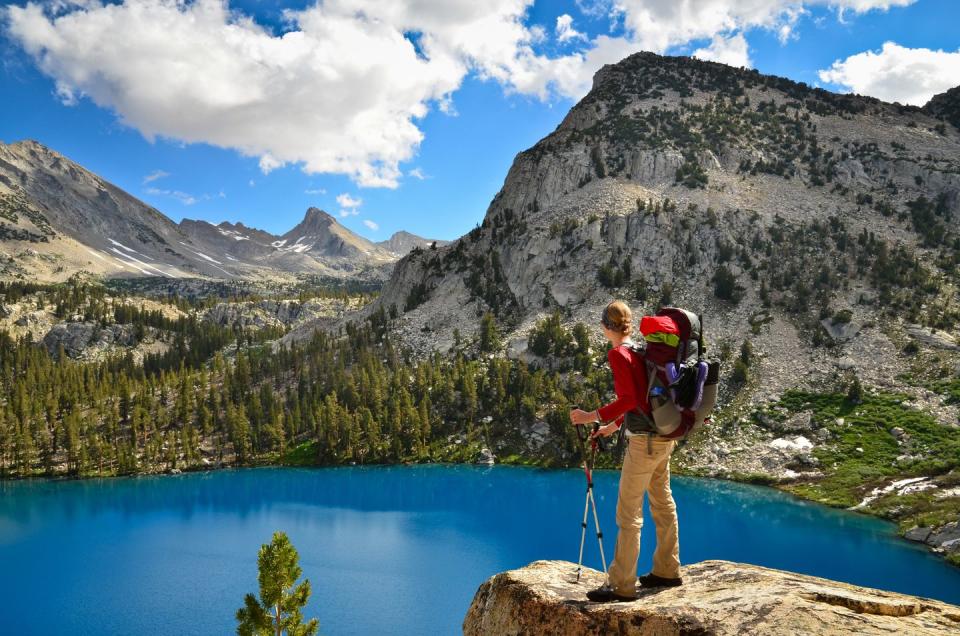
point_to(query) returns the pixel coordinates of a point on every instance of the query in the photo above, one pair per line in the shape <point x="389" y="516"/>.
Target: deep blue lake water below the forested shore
<point x="393" y="550"/>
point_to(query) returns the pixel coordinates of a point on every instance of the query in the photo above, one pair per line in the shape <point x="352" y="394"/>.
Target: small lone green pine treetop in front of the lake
<point x="278" y="611"/>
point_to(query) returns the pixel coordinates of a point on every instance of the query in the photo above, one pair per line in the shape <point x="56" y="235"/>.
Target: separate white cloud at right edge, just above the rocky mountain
<point x="896" y="73"/>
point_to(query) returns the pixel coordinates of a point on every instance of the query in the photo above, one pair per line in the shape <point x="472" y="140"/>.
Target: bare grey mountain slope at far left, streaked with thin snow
<point x="58" y="217"/>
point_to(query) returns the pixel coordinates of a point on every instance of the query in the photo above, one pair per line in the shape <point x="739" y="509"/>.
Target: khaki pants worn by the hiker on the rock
<point x="646" y="470"/>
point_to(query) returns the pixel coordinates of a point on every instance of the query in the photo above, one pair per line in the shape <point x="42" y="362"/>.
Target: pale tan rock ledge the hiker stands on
<point x="717" y="597"/>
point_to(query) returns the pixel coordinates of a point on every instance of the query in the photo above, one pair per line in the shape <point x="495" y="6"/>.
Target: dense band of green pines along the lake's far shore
<point x="345" y="397"/>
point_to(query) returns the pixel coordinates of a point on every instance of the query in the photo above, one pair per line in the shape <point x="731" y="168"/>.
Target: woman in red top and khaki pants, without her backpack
<point x="646" y="470"/>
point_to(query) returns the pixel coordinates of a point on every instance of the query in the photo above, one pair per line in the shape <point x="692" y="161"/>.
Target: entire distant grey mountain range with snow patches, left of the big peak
<point x="57" y="218"/>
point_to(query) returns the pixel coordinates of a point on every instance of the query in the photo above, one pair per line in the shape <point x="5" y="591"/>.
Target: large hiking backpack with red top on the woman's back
<point x="681" y="385"/>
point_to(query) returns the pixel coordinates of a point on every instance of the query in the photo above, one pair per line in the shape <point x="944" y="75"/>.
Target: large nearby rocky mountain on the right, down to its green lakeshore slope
<point x="816" y="233"/>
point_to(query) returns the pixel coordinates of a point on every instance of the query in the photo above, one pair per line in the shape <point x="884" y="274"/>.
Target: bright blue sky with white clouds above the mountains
<point x="395" y="114"/>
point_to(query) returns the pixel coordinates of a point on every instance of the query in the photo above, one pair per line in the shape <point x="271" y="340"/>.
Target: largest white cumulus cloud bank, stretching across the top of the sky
<point x="344" y="88"/>
